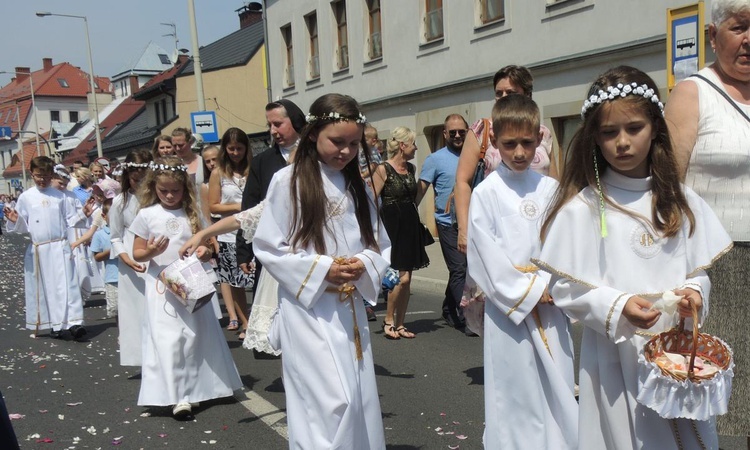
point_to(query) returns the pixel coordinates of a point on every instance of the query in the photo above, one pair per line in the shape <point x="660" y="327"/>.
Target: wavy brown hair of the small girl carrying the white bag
<point x="170" y="167"/>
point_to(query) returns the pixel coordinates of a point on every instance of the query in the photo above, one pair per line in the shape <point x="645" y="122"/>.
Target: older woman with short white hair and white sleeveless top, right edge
<point x="711" y="134"/>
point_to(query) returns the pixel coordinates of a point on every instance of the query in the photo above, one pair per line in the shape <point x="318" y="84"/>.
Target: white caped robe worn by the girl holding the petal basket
<point x="593" y="278"/>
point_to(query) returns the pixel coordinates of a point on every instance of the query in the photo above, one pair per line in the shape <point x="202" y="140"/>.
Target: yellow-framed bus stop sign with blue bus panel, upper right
<point x="685" y="42"/>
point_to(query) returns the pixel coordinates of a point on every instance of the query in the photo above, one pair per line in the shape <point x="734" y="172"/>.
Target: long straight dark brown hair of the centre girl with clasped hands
<point x="309" y="220"/>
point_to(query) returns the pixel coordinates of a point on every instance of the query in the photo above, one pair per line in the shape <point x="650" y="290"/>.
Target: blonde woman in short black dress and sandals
<point x="395" y="183"/>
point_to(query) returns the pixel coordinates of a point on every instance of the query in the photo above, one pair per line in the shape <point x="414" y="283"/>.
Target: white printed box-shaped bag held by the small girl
<point x="190" y="280"/>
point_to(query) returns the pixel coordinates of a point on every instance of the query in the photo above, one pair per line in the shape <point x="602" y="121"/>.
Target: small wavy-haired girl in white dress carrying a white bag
<point x="185" y="356"/>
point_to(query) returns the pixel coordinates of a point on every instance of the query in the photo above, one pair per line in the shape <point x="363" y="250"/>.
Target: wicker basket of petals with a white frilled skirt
<point x="685" y="374"/>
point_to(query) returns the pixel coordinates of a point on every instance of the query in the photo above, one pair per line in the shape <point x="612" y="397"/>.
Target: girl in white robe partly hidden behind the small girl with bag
<point x="131" y="284"/>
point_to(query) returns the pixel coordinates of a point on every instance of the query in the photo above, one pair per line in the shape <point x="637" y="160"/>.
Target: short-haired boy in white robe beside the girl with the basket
<point x="528" y="353"/>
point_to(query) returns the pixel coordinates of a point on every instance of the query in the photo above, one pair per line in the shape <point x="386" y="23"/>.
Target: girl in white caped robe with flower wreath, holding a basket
<point x="630" y="234"/>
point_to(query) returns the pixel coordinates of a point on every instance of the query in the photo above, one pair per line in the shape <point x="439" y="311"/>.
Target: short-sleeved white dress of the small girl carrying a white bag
<point x="185" y="355"/>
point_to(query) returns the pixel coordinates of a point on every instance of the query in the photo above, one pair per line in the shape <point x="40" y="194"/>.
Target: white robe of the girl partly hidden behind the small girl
<point x="131" y="285"/>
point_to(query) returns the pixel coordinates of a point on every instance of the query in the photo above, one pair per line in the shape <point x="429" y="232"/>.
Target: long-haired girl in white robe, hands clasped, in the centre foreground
<point x="321" y="238"/>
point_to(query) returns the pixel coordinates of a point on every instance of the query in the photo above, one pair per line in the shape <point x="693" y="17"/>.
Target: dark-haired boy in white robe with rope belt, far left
<point x="53" y="299"/>
